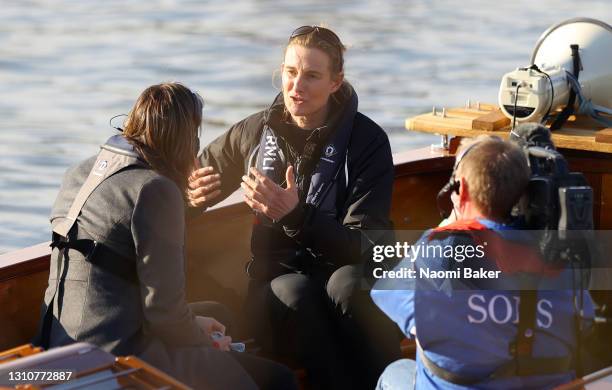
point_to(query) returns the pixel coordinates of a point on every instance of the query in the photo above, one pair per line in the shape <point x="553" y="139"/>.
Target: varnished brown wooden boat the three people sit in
<point x="218" y="241"/>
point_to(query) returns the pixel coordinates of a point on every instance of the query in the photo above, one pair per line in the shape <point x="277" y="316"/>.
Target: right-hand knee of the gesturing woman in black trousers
<point x="344" y="287"/>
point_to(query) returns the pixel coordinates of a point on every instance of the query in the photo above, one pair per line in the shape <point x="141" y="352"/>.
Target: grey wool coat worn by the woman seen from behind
<point x="129" y="297"/>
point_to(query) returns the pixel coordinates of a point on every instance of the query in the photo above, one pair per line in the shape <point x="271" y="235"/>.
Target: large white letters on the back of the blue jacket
<point x="502" y="309"/>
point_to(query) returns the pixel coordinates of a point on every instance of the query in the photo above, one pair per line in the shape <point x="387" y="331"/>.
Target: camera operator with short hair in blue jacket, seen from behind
<point x="482" y="332"/>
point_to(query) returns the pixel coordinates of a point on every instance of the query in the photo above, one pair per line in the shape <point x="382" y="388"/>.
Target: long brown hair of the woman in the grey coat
<point x="163" y="126"/>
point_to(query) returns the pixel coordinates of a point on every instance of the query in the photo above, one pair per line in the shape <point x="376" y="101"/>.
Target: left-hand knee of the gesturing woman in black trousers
<point x="294" y="291"/>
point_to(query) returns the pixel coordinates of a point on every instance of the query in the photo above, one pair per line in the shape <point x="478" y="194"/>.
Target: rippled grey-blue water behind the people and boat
<point x="66" y="67"/>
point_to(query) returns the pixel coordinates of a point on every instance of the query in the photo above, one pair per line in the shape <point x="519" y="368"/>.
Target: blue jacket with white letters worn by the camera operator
<point x="466" y="326"/>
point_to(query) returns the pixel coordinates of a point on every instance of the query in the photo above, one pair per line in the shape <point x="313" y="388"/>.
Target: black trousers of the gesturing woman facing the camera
<point x="326" y="322"/>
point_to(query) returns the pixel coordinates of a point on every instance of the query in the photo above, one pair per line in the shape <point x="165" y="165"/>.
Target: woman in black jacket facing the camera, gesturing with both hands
<point x="319" y="175"/>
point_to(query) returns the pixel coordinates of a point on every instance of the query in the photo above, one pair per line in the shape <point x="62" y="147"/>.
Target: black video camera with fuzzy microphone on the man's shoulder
<point x="558" y="203"/>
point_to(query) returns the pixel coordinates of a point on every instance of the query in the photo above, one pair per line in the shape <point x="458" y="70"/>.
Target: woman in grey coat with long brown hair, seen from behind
<point x="121" y="266"/>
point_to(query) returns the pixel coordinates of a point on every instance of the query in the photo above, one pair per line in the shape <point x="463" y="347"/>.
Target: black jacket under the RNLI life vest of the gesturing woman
<point x="361" y="202"/>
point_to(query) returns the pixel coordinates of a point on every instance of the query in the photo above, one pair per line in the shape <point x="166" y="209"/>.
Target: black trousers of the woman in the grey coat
<point x="265" y="373"/>
